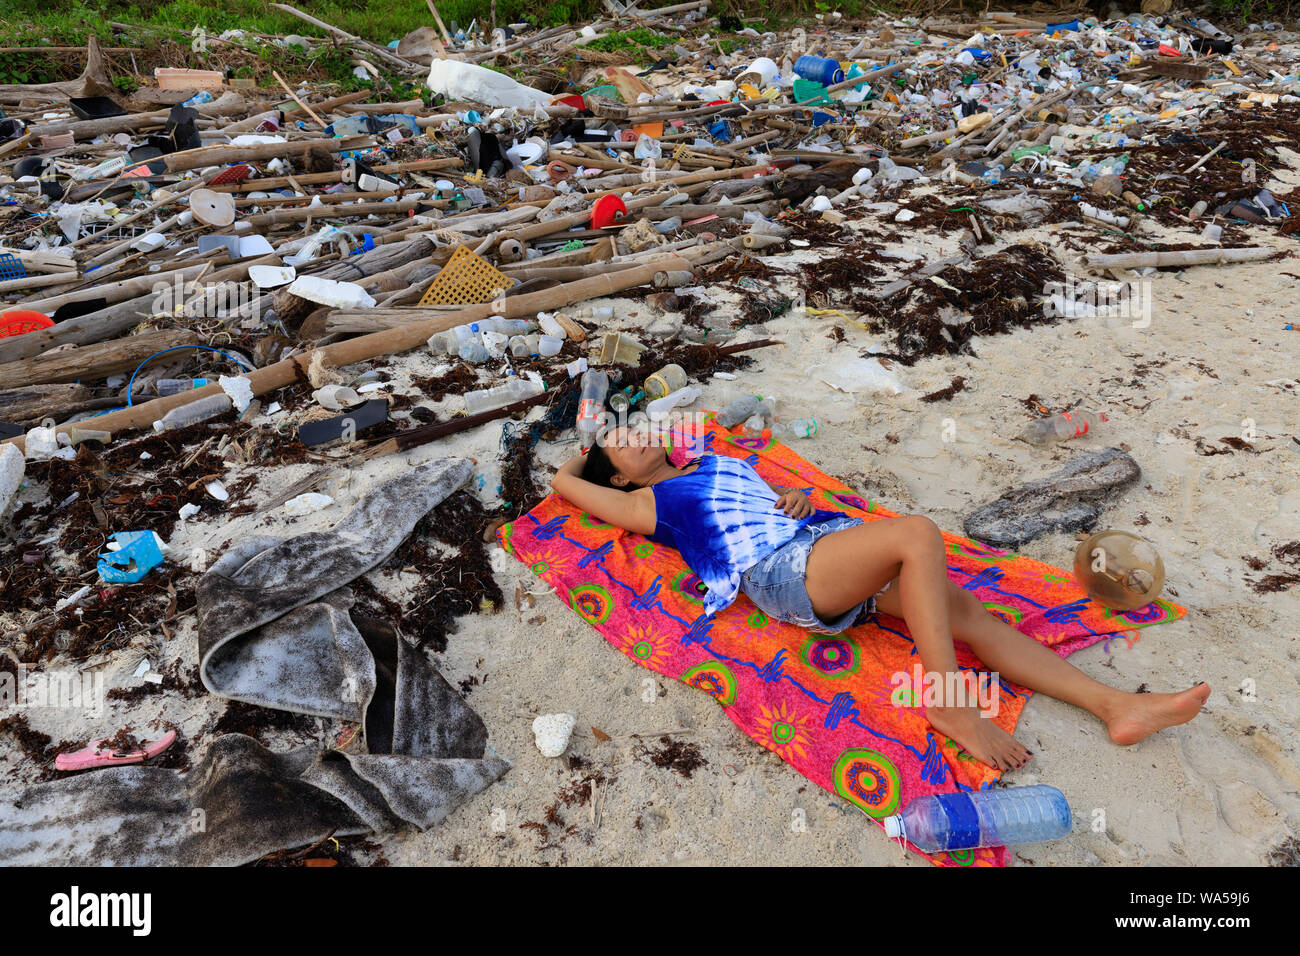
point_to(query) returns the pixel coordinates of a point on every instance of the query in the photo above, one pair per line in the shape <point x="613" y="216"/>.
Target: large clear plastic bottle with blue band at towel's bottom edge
<point x="983" y="819"/>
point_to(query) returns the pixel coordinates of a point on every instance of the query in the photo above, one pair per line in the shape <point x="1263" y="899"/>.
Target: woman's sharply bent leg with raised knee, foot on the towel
<point x="847" y="568"/>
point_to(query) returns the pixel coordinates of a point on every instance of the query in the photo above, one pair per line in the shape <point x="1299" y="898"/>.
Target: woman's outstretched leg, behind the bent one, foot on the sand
<point x="1129" y="717"/>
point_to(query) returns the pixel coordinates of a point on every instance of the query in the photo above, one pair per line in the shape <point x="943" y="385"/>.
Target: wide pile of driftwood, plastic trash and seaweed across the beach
<point x="210" y="279"/>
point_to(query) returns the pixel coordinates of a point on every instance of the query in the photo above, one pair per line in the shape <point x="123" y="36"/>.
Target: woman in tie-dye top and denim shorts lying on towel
<point x="824" y="570"/>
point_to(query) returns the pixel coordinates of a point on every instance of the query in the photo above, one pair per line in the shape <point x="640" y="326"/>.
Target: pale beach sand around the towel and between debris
<point x="1221" y="790"/>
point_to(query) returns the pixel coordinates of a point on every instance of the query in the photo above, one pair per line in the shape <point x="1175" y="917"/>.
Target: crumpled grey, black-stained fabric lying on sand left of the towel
<point x="276" y="629"/>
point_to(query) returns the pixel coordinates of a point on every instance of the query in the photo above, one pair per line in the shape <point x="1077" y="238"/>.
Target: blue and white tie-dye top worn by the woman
<point x="723" y="521"/>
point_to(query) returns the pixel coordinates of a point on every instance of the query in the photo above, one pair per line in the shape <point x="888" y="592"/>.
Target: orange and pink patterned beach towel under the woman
<point x="826" y="704"/>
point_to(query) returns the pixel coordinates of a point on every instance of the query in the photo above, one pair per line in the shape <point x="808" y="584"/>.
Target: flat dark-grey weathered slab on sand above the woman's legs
<point x="1068" y="500"/>
